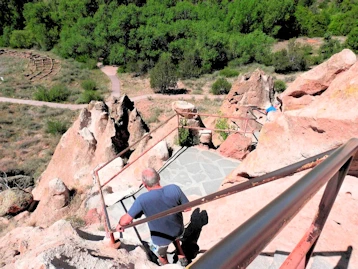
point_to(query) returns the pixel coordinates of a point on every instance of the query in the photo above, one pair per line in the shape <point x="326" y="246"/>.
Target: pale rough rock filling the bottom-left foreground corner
<point x="61" y="246"/>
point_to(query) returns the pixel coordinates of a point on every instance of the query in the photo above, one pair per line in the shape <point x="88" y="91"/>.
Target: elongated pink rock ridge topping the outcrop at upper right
<point x="316" y="81"/>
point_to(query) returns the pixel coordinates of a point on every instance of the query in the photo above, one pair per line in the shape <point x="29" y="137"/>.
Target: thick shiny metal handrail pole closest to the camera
<point x="241" y="246"/>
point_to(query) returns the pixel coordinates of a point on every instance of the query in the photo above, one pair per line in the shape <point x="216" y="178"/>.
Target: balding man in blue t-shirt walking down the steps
<point x="163" y="230"/>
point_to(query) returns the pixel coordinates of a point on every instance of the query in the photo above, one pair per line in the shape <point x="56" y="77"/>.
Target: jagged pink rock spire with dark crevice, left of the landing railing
<point x="94" y="138"/>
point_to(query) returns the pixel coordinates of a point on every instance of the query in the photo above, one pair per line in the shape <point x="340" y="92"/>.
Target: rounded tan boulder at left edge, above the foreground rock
<point x="13" y="201"/>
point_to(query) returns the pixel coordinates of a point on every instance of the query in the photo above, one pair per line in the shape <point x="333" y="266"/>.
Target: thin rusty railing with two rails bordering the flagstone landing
<point x="107" y="225"/>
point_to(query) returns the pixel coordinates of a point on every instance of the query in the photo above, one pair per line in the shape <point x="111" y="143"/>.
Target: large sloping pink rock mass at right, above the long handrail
<point x="328" y="121"/>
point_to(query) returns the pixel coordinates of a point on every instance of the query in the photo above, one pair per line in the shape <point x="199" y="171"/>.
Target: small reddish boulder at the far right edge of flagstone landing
<point x="235" y="146"/>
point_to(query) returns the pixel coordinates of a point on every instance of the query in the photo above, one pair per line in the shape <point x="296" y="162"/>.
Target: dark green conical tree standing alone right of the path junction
<point x="163" y="75"/>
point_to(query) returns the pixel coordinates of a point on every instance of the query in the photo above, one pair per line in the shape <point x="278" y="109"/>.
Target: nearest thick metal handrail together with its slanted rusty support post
<point x="241" y="246"/>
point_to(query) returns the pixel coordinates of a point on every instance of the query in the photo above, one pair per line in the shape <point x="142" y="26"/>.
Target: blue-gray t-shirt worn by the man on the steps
<point x="166" y="229"/>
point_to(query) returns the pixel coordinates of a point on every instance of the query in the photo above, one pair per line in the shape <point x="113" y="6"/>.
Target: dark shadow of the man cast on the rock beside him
<point x="192" y="232"/>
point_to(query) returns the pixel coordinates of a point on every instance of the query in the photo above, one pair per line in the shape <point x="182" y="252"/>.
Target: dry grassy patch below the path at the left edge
<point x="28" y="136"/>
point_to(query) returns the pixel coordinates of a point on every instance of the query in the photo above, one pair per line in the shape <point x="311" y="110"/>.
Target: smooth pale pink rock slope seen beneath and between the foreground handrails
<point x="228" y="213"/>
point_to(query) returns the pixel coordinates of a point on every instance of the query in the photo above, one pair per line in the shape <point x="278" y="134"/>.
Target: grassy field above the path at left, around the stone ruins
<point x="71" y="74"/>
